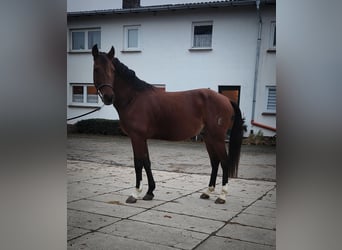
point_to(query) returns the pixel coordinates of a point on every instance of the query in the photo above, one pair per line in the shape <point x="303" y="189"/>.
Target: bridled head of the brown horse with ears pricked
<point x="104" y="73"/>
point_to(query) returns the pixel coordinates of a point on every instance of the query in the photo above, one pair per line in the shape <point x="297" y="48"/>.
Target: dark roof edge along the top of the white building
<point x="171" y="7"/>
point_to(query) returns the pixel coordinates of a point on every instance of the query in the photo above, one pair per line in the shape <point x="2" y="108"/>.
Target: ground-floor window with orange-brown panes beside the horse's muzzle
<point x="84" y="94"/>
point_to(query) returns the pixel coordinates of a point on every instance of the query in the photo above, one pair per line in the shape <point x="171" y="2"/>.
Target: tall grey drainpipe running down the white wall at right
<point x="256" y="70"/>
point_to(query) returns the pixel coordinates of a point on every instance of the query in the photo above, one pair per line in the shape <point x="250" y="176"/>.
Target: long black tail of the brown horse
<point x="235" y="141"/>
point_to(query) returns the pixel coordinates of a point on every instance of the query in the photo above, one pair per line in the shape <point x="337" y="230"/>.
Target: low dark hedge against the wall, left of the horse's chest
<point x="99" y="126"/>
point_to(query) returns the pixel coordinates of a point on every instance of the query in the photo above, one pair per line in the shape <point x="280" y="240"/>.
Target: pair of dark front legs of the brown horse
<point x="141" y="159"/>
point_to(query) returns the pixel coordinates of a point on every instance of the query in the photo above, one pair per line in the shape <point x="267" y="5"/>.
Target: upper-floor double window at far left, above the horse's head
<point x="85" y="39"/>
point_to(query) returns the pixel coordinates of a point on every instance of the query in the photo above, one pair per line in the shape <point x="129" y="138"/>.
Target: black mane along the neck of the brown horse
<point x="130" y="77"/>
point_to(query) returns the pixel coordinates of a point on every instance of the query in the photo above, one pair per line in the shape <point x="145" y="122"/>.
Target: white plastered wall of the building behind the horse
<point x="165" y="56"/>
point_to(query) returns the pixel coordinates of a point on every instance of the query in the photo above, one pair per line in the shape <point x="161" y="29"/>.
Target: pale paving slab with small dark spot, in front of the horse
<point x="179" y="221"/>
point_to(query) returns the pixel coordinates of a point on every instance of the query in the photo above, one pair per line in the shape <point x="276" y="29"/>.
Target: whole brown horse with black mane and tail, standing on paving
<point x="147" y="112"/>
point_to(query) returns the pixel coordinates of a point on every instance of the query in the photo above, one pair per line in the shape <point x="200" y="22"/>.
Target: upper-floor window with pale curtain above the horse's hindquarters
<point x="202" y="35"/>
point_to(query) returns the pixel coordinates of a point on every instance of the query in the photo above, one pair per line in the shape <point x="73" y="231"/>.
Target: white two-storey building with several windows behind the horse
<point x="227" y="46"/>
